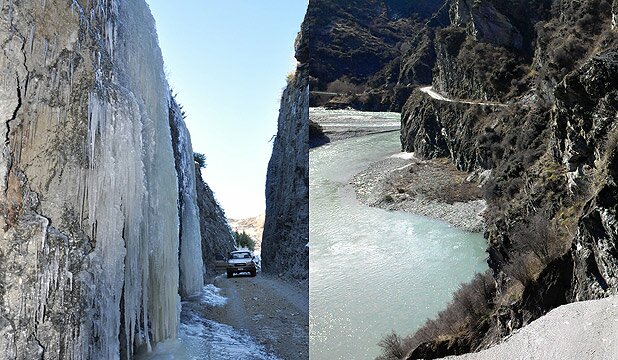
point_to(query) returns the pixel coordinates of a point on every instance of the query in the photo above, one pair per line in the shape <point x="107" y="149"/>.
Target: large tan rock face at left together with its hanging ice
<point x="89" y="218"/>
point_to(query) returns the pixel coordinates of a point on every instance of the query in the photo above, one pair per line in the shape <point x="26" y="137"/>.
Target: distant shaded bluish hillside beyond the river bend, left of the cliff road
<point x="370" y="54"/>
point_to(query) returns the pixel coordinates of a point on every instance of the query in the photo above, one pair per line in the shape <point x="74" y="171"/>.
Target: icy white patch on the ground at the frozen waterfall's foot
<point x="201" y="339"/>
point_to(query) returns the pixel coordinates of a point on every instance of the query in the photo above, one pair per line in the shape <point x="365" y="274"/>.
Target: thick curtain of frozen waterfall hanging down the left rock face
<point x="133" y="193"/>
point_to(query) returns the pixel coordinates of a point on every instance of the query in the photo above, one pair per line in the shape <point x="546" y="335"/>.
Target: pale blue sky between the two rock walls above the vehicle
<point x="227" y="60"/>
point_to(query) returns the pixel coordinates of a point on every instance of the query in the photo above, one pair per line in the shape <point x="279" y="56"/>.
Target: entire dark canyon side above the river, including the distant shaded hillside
<point x="528" y="104"/>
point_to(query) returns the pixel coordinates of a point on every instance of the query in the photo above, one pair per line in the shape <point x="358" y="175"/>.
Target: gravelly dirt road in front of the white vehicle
<point x="272" y="311"/>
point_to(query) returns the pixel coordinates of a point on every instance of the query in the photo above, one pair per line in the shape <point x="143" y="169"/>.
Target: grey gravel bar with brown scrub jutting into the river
<point x="432" y="188"/>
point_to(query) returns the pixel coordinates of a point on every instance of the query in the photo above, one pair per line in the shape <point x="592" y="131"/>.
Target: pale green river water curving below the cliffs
<point x="371" y="270"/>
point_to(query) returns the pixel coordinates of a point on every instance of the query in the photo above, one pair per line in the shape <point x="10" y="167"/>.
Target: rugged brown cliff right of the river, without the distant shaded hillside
<point x="550" y="145"/>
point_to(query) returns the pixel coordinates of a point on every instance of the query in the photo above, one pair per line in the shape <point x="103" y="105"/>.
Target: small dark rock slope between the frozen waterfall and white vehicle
<point x="217" y="238"/>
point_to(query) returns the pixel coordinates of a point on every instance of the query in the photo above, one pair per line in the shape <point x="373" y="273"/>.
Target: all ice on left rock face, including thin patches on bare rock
<point x="127" y="194"/>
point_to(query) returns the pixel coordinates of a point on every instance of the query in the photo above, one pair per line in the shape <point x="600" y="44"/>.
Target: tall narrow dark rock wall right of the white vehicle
<point x="286" y="225"/>
